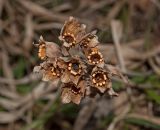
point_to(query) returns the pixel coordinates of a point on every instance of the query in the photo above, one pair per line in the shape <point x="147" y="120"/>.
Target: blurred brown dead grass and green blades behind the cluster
<point x="129" y="32"/>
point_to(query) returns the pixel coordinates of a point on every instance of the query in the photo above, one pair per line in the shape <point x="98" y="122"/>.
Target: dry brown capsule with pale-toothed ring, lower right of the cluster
<point x="100" y="79"/>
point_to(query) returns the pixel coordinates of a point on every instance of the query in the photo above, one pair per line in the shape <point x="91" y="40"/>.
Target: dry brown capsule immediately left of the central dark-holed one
<point x="48" y="71"/>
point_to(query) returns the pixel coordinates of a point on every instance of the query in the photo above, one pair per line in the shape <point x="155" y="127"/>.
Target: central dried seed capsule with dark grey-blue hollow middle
<point x="74" y="69"/>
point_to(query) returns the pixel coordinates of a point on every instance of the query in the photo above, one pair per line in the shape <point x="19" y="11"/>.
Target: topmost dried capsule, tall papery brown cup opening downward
<point x="72" y="32"/>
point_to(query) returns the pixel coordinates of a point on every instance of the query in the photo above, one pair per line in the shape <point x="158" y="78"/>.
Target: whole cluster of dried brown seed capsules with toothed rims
<point x="77" y="63"/>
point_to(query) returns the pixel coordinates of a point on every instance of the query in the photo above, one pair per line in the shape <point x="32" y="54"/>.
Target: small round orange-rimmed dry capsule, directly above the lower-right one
<point x="94" y="57"/>
